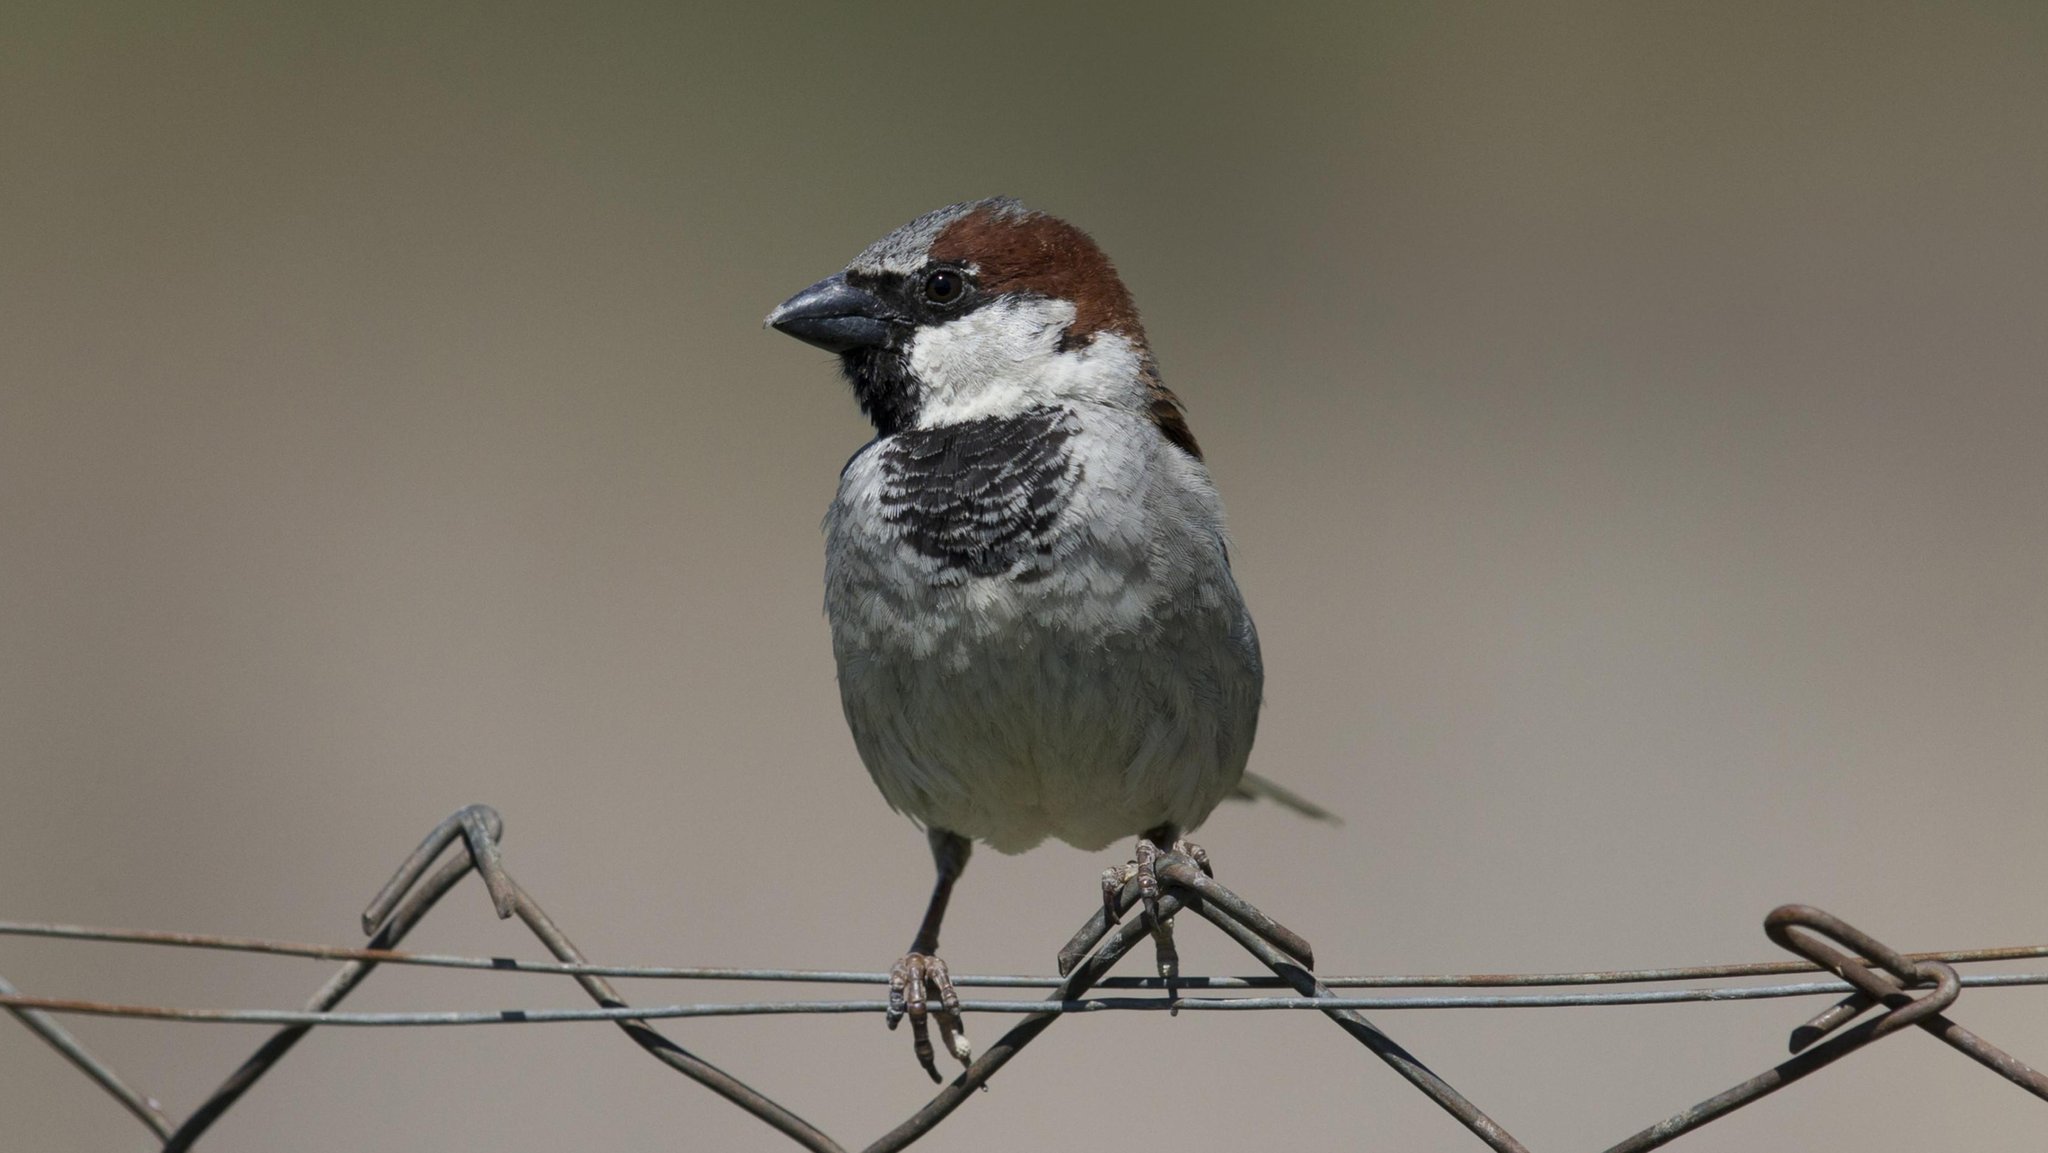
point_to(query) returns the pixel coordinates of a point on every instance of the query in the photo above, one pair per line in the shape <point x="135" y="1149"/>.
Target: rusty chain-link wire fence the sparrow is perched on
<point x="1877" y="992"/>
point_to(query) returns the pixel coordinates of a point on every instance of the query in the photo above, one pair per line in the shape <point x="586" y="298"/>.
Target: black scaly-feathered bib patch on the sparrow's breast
<point x="982" y="497"/>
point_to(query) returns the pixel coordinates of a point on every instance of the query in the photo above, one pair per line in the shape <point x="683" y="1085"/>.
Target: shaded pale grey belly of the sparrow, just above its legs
<point x="1000" y="726"/>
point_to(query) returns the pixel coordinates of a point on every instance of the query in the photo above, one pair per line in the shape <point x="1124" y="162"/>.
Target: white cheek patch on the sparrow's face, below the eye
<point x="1005" y="359"/>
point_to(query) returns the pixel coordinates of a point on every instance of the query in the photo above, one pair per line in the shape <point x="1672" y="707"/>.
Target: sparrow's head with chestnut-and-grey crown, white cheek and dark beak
<point x="982" y="310"/>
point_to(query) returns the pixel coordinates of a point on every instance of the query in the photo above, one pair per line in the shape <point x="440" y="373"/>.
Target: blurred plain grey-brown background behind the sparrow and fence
<point x="1631" y="421"/>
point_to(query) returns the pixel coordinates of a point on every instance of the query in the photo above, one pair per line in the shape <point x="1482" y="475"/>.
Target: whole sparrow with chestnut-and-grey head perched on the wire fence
<point x="1027" y="572"/>
